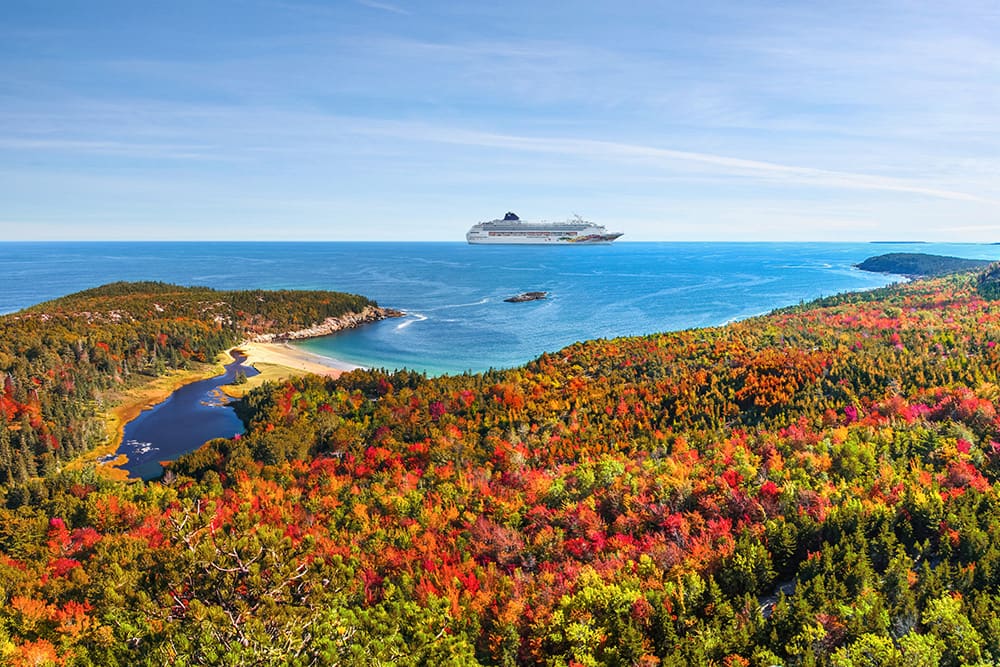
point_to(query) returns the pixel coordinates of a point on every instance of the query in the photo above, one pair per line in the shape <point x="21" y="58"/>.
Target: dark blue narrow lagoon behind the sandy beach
<point x="189" y="417"/>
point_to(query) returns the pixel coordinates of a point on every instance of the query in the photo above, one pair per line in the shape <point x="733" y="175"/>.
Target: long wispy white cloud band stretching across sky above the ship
<point x="237" y="135"/>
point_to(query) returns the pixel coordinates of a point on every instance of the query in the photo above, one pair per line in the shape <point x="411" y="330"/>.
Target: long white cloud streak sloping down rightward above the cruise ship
<point x="237" y="139"/>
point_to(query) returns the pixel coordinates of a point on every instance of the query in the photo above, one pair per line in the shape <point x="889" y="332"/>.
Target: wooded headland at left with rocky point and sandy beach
<point x="125" y="347"/>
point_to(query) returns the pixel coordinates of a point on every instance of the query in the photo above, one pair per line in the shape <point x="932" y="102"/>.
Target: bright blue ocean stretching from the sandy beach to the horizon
<point x="453" y="293"/>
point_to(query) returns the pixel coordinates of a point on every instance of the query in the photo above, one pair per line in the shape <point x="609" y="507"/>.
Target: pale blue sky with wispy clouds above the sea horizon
<point x="403" y="120"/>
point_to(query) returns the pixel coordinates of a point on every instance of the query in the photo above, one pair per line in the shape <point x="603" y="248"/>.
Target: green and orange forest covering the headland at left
<point x="59" y="360"/>
